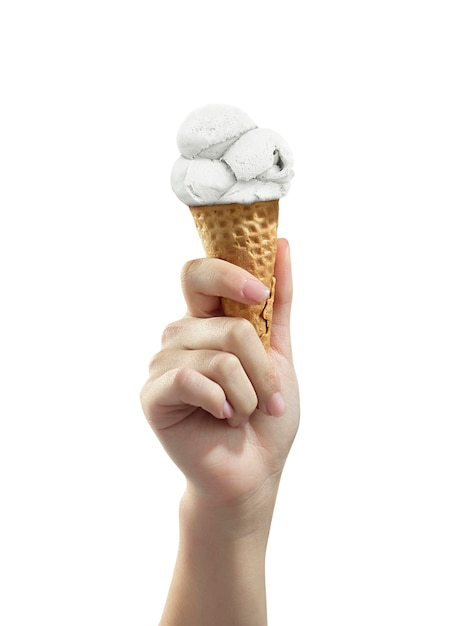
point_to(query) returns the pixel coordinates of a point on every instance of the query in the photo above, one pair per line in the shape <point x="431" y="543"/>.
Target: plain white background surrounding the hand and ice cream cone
<point x="372" y="522"/>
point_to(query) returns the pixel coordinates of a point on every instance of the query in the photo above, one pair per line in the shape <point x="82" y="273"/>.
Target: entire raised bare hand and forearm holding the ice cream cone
<point x="227" y="413"/>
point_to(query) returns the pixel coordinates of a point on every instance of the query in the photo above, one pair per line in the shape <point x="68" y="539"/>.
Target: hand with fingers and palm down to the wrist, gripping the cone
<point x="225" y="410"/>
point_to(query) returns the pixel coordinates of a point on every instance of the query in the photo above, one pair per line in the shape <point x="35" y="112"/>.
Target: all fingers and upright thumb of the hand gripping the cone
<point x="217" y="363"/>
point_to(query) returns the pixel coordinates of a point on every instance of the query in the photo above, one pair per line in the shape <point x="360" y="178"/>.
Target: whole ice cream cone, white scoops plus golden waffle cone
<point x="232" y="174"/>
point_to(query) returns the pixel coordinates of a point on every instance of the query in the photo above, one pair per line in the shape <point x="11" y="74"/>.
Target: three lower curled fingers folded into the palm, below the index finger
<point x="235" y="376"/>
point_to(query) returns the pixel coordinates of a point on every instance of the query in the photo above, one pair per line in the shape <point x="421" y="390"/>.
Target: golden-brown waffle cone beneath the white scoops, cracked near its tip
<point x="246" y="235"/>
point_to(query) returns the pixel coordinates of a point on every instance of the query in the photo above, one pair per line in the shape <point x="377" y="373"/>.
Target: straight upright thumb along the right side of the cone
<point x="280" y="333"/>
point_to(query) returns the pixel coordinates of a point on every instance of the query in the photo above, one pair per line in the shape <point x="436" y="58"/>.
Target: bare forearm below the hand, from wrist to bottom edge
<point x="219" y="576"/>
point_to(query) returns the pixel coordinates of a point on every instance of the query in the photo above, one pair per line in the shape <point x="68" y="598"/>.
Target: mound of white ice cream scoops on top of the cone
<point x="225" y="158"/>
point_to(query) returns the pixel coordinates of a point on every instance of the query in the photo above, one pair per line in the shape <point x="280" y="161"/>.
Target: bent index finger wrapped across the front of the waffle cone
<point x="205" y="281"/>
